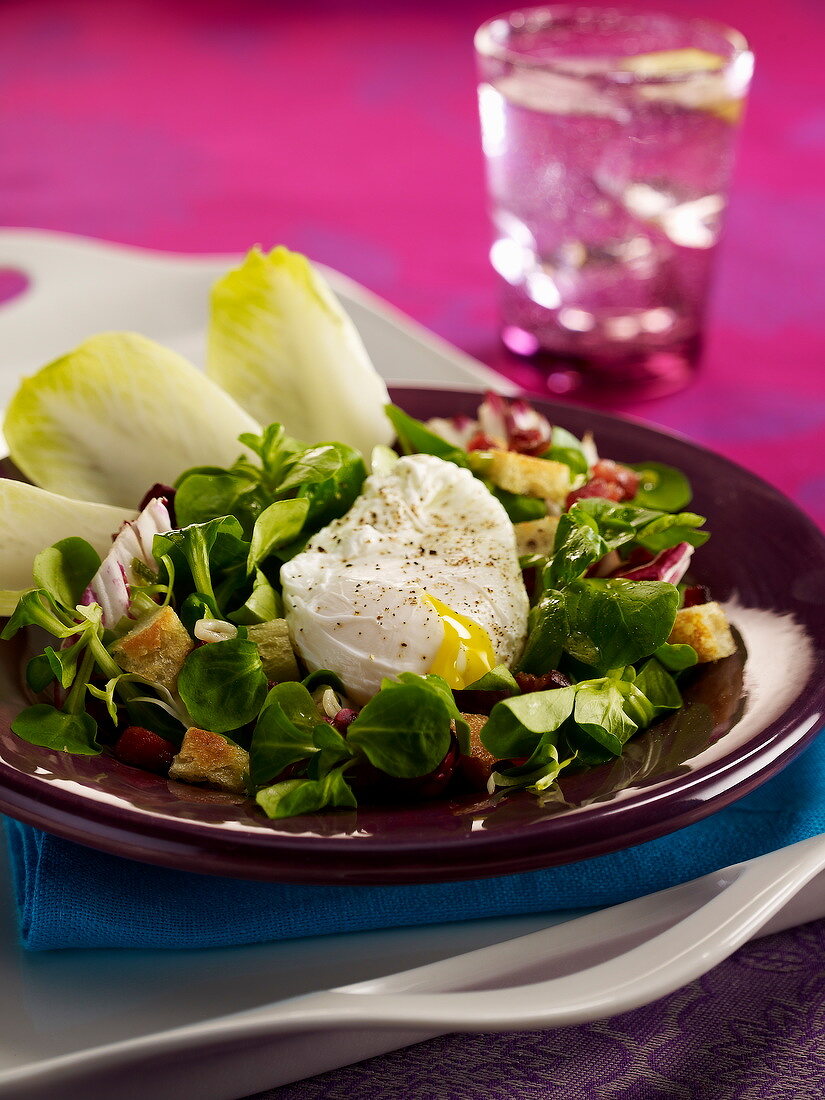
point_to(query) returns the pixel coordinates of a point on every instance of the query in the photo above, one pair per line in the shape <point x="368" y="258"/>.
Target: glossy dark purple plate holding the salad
<point x="744" y="719"/>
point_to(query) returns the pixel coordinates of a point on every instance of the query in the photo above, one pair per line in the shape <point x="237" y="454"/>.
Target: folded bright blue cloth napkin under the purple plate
<point x="74" y="897"/>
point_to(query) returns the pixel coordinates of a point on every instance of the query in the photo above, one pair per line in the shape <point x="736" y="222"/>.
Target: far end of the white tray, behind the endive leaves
<point x="79" y="287"/>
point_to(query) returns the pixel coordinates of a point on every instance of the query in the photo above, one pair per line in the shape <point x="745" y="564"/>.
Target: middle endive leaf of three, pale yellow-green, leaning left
<point x="117" y="415"/>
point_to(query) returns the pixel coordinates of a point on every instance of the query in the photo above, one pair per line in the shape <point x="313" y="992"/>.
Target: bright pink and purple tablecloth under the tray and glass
<point x="349" y="131"/>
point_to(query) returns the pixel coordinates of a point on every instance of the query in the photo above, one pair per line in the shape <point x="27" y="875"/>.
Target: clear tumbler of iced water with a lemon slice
<point x="609" y="139"/>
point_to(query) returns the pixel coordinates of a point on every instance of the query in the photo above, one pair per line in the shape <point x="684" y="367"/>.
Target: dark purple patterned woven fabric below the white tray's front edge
<point x="754" y="1029"/>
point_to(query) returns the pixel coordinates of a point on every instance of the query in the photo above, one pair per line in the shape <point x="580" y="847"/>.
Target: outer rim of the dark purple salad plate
<point x="185" y="844"/>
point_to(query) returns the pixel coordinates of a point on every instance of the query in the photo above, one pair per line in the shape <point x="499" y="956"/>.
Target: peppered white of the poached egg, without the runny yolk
<point x="354" y="598"/>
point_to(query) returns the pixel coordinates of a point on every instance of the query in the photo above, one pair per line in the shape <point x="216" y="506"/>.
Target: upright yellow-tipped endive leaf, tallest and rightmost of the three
<point x="283" y="347"/>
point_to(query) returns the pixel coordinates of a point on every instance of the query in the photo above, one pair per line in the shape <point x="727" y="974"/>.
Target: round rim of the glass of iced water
<point x="487" y="46"/>
